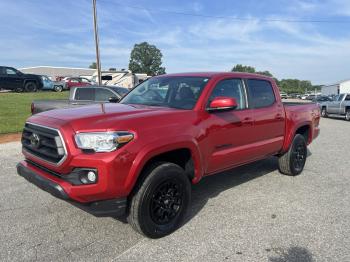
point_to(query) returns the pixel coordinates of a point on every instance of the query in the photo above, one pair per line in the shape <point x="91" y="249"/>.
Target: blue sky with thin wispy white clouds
<point x="192" y="35"/>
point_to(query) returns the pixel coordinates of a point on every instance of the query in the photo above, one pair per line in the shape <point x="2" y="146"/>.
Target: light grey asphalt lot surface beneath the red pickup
<point x="251" y="213"/>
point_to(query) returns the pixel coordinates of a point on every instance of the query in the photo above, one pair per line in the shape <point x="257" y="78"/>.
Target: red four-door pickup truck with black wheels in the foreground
<point x="139" y="157"/>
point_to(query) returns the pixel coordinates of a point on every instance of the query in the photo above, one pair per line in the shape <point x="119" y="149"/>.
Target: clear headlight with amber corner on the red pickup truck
<point x="102" y="141"/>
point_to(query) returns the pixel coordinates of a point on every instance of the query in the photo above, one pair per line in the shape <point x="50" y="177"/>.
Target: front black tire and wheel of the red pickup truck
<point x="161" y="200"/>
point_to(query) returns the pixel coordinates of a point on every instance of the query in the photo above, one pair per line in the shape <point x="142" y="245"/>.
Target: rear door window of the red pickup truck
<point x="261" y="93"/>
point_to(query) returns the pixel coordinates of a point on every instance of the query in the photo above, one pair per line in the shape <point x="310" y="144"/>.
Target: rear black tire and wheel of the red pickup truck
<point x="292" y="163"/>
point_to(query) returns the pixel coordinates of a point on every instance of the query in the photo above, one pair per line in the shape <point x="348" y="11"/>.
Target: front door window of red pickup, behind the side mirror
<point x="230" y="88"/>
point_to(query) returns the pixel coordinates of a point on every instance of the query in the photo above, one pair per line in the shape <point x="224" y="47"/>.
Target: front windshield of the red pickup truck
<point x="173" y="91"/>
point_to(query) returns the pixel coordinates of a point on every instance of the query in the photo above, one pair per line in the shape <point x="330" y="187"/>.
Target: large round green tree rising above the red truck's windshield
<point x="146" y="58"/>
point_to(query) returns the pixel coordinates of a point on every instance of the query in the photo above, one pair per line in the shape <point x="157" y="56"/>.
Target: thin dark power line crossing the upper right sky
<point x="267" y="20"/>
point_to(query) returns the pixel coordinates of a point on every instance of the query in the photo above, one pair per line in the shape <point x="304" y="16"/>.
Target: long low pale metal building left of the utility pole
<point x="55" y="72"/>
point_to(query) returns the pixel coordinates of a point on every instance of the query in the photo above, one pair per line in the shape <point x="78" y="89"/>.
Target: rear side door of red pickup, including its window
<point x="268" y="116"/>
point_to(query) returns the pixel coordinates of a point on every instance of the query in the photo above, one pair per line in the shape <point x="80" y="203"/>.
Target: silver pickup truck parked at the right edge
<point x="339" y="106"/>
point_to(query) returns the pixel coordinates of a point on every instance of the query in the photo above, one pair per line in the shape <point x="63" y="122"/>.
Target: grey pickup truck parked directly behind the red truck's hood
<point x="80" y="96"/>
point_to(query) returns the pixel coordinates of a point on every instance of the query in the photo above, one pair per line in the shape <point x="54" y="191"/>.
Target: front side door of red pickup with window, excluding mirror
<point x="228" y="132"/>
